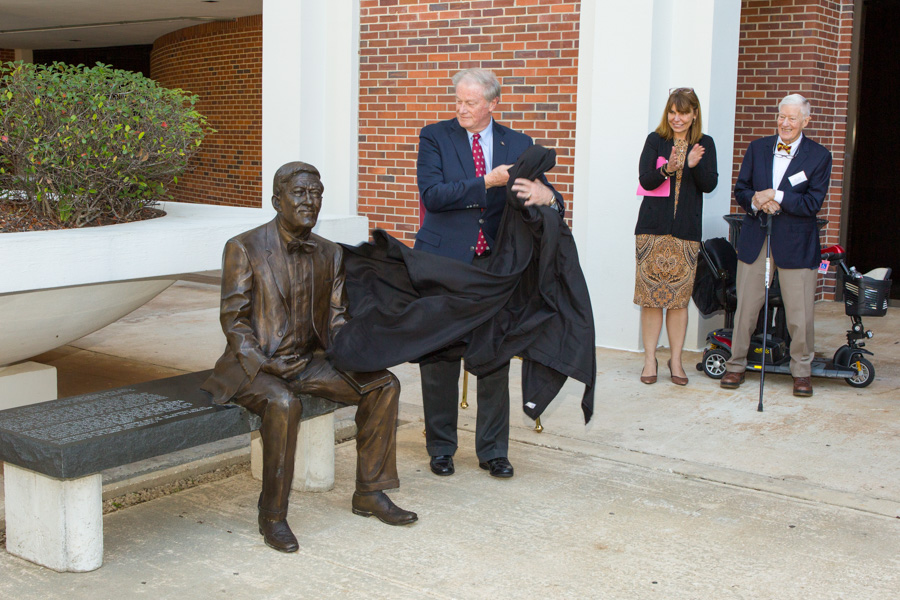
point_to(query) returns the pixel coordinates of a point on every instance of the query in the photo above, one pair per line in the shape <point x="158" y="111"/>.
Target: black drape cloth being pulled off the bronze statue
<point x="531" y="301"/>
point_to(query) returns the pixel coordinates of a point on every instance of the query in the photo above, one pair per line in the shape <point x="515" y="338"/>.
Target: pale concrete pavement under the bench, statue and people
<point x="669" y="493"/>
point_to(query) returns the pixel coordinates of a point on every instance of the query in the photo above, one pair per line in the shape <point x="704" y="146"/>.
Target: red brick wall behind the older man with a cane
<point x="797" y="46"/>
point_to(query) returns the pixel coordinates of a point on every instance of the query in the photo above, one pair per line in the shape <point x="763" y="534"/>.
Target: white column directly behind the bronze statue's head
<point x="311" y="98"/>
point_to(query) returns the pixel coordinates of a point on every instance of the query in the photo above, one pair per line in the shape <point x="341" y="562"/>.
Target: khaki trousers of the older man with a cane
<point x="798" y="291"/>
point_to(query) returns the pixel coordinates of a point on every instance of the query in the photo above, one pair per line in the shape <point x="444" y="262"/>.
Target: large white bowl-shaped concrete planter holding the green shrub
<point x="57" y="286"/>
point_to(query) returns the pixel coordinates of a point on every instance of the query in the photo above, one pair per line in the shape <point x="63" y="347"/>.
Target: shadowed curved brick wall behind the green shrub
<point x="221" y="63"/>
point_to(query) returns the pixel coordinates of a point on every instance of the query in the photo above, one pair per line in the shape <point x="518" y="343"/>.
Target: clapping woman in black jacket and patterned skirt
<point x="668" y="230"/>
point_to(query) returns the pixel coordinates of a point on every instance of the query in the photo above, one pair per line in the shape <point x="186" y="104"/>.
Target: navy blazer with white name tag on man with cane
<point x="795" y="234"/>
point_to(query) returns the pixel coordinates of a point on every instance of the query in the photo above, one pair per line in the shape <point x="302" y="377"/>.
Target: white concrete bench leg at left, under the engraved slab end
<point x="56" y="523"/>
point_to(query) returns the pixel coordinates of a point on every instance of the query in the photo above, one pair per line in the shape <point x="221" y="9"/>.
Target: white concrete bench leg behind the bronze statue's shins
<point x="314" y="461"/>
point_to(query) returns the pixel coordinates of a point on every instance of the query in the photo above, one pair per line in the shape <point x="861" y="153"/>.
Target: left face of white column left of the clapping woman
<point x="614" y="63"/>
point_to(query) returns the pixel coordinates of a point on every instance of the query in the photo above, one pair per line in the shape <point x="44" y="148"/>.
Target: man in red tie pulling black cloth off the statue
<point x="462" y="176"/>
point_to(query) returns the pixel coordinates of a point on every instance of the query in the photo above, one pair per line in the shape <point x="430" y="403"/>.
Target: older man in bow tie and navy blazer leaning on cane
<point x="787" y="175"/>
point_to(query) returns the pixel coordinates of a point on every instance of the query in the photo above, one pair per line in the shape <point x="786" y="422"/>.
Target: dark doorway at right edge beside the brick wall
<point x="874" y="204"/>
